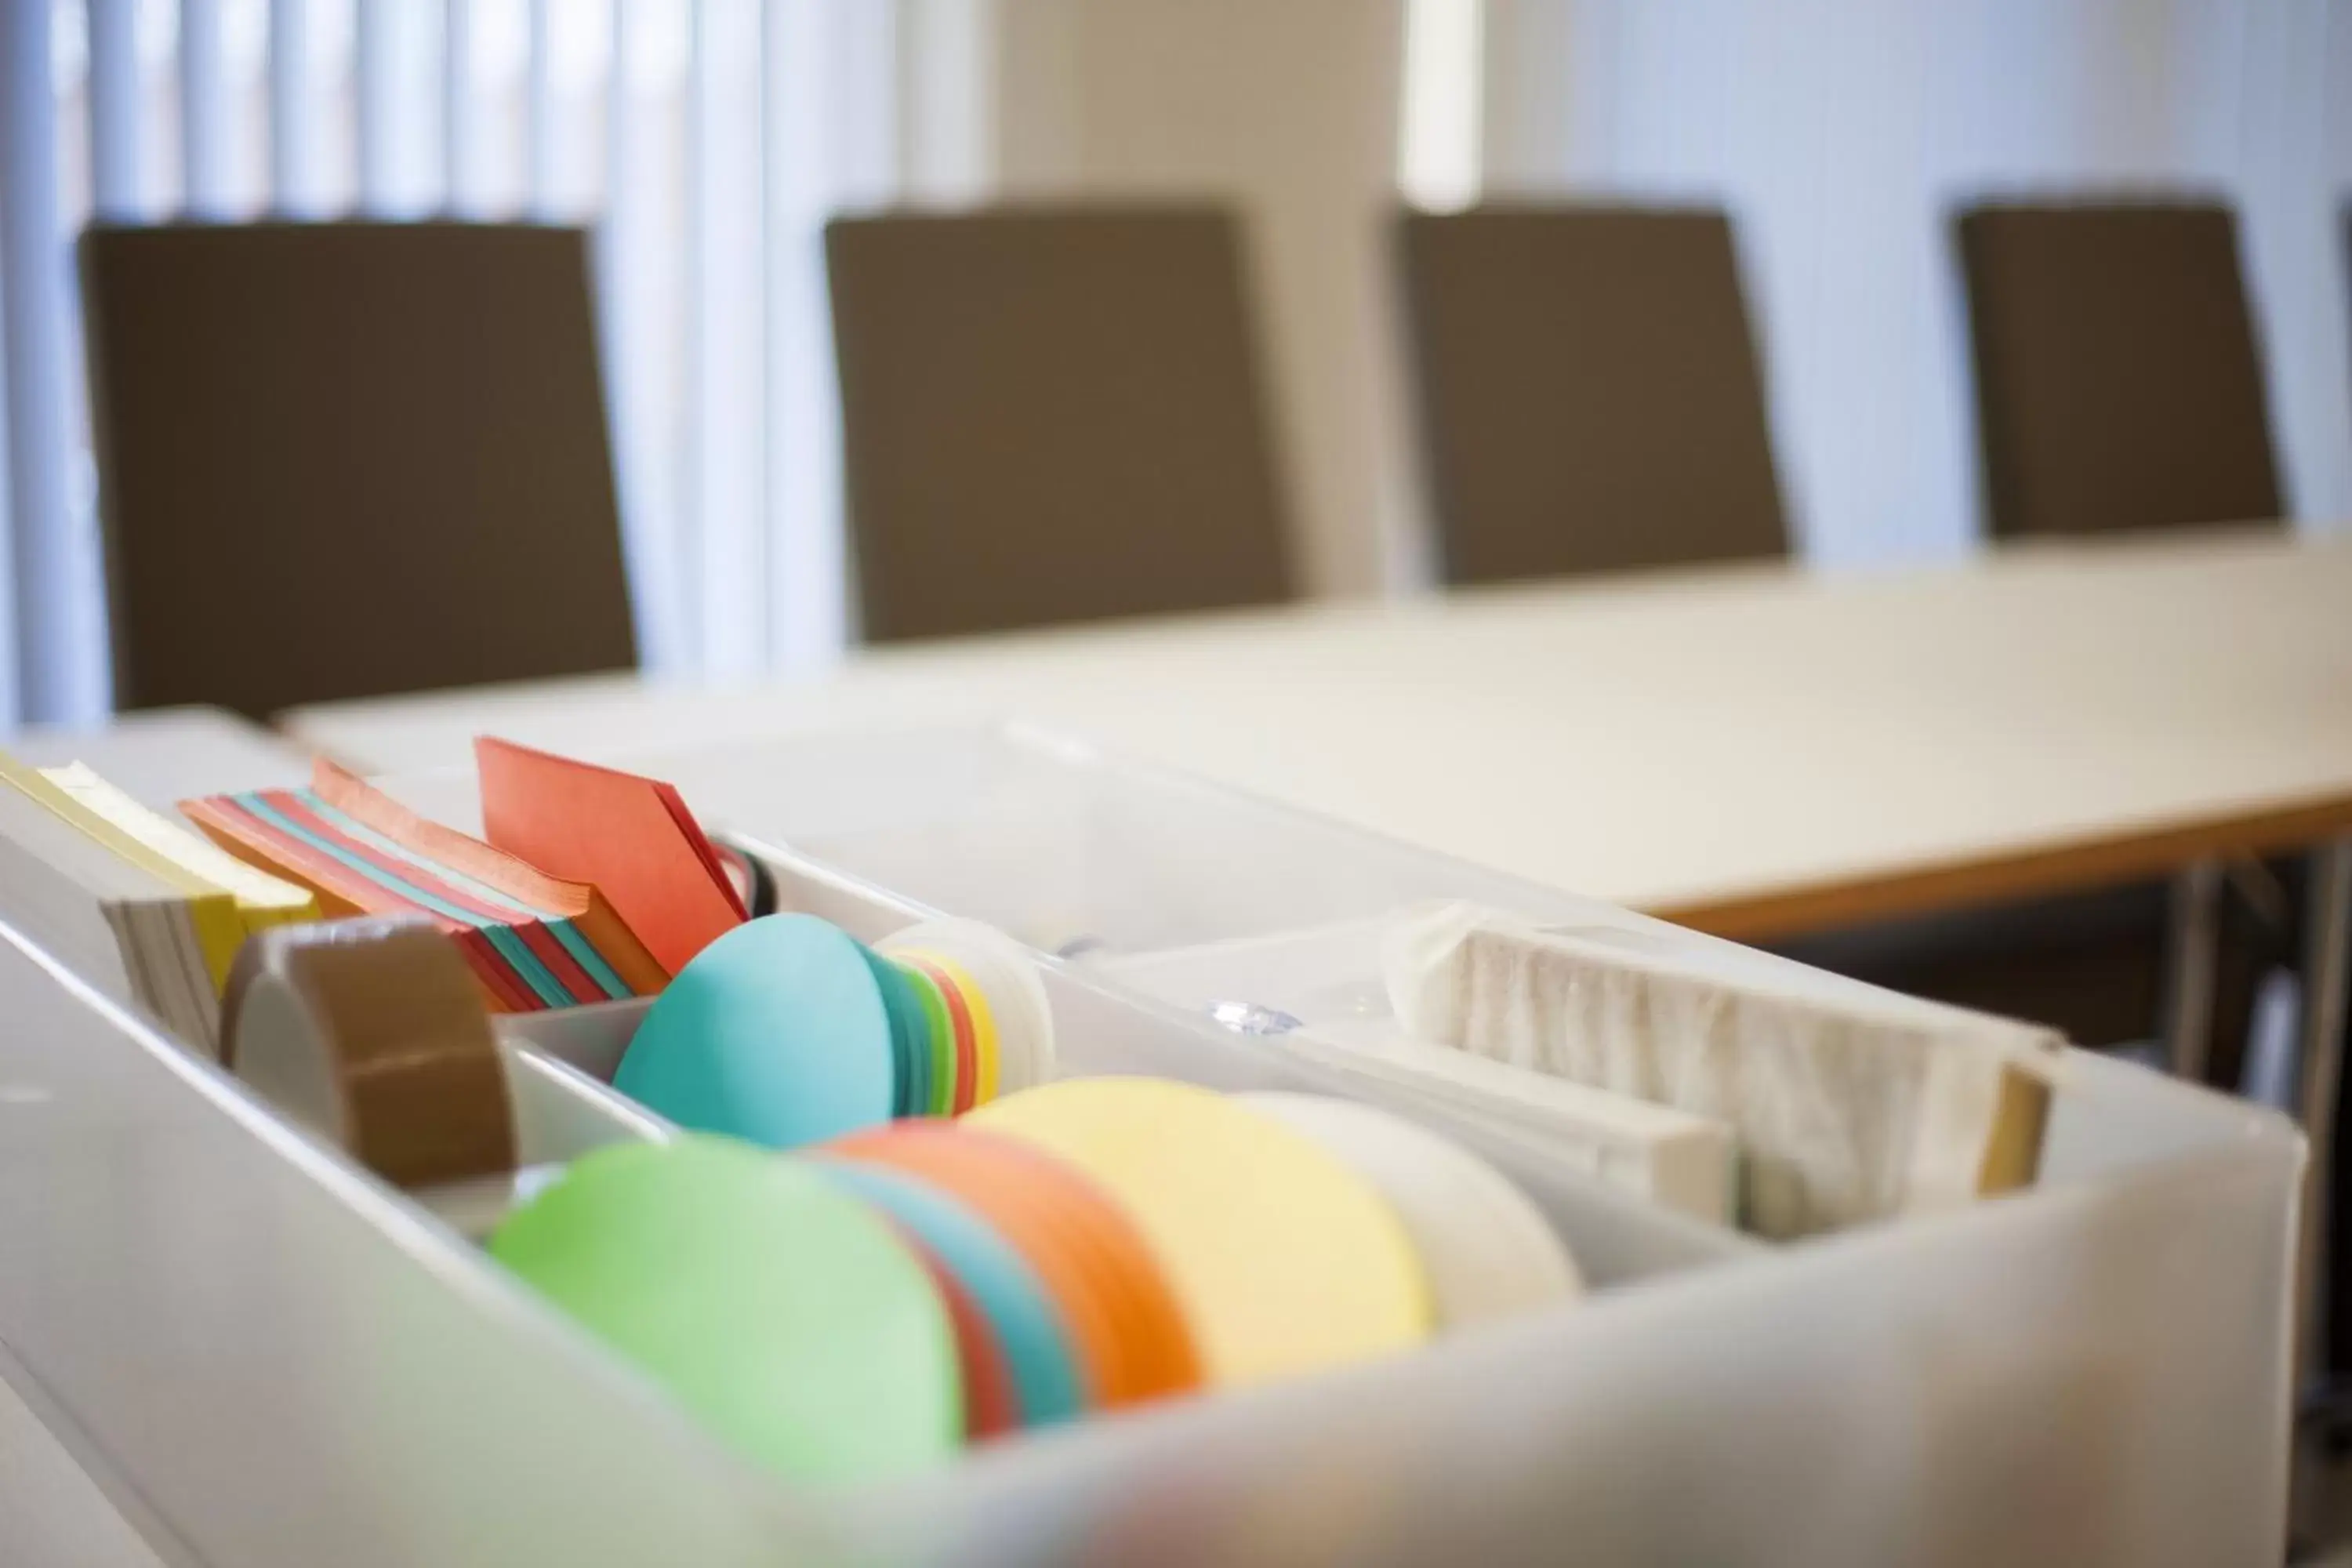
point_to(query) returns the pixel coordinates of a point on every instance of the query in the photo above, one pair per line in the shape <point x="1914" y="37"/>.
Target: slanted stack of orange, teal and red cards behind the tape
<point x="533" y="939"/>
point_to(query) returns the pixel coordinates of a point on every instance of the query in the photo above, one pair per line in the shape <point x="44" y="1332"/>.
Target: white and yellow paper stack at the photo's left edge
<point x="131" y="899"/>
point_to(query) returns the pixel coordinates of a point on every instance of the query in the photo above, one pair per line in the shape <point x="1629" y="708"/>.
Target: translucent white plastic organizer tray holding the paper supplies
<point x="272" y="1360"/>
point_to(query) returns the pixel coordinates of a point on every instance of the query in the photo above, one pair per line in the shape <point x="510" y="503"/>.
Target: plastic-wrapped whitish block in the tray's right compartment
<point x="1850" y="1104"/>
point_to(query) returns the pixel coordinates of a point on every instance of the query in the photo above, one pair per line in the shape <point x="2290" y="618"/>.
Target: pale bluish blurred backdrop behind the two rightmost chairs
<point x="1840" y="133"/>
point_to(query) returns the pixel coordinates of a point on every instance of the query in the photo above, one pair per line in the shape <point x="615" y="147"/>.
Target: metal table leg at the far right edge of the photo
<point x="2327" y="970"/>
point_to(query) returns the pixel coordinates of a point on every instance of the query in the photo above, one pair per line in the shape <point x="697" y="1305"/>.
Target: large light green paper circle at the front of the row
<point x="775" y="1306"/>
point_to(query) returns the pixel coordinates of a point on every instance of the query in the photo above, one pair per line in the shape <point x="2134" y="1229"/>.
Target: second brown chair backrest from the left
<point x="1053" y="415"/>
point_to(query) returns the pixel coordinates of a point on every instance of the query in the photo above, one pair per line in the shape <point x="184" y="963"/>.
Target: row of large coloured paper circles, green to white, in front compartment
<point x="1081" y="1247"/>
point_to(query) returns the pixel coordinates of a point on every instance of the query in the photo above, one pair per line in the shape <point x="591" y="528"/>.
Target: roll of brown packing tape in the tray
<point x="373" y="1033"/>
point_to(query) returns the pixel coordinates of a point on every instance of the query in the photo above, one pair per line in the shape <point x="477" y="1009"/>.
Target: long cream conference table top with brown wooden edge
<point x="1751" y="751"/>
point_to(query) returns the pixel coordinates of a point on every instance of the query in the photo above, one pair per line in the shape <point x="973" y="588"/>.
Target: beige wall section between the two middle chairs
<point x="1290" y="107"/>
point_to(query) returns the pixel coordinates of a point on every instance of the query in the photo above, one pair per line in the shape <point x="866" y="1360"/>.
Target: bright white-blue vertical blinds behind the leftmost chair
<point x="704" y="140"/>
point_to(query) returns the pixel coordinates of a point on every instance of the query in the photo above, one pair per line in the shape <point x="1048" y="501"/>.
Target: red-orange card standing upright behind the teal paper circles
<point x="629" y="836"/>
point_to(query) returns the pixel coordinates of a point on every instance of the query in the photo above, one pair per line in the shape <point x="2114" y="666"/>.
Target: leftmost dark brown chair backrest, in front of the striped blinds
<point x="349" y="460"/>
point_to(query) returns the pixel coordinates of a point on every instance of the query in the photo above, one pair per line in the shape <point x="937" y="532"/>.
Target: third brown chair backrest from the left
<point x="1589" y="391"/>
